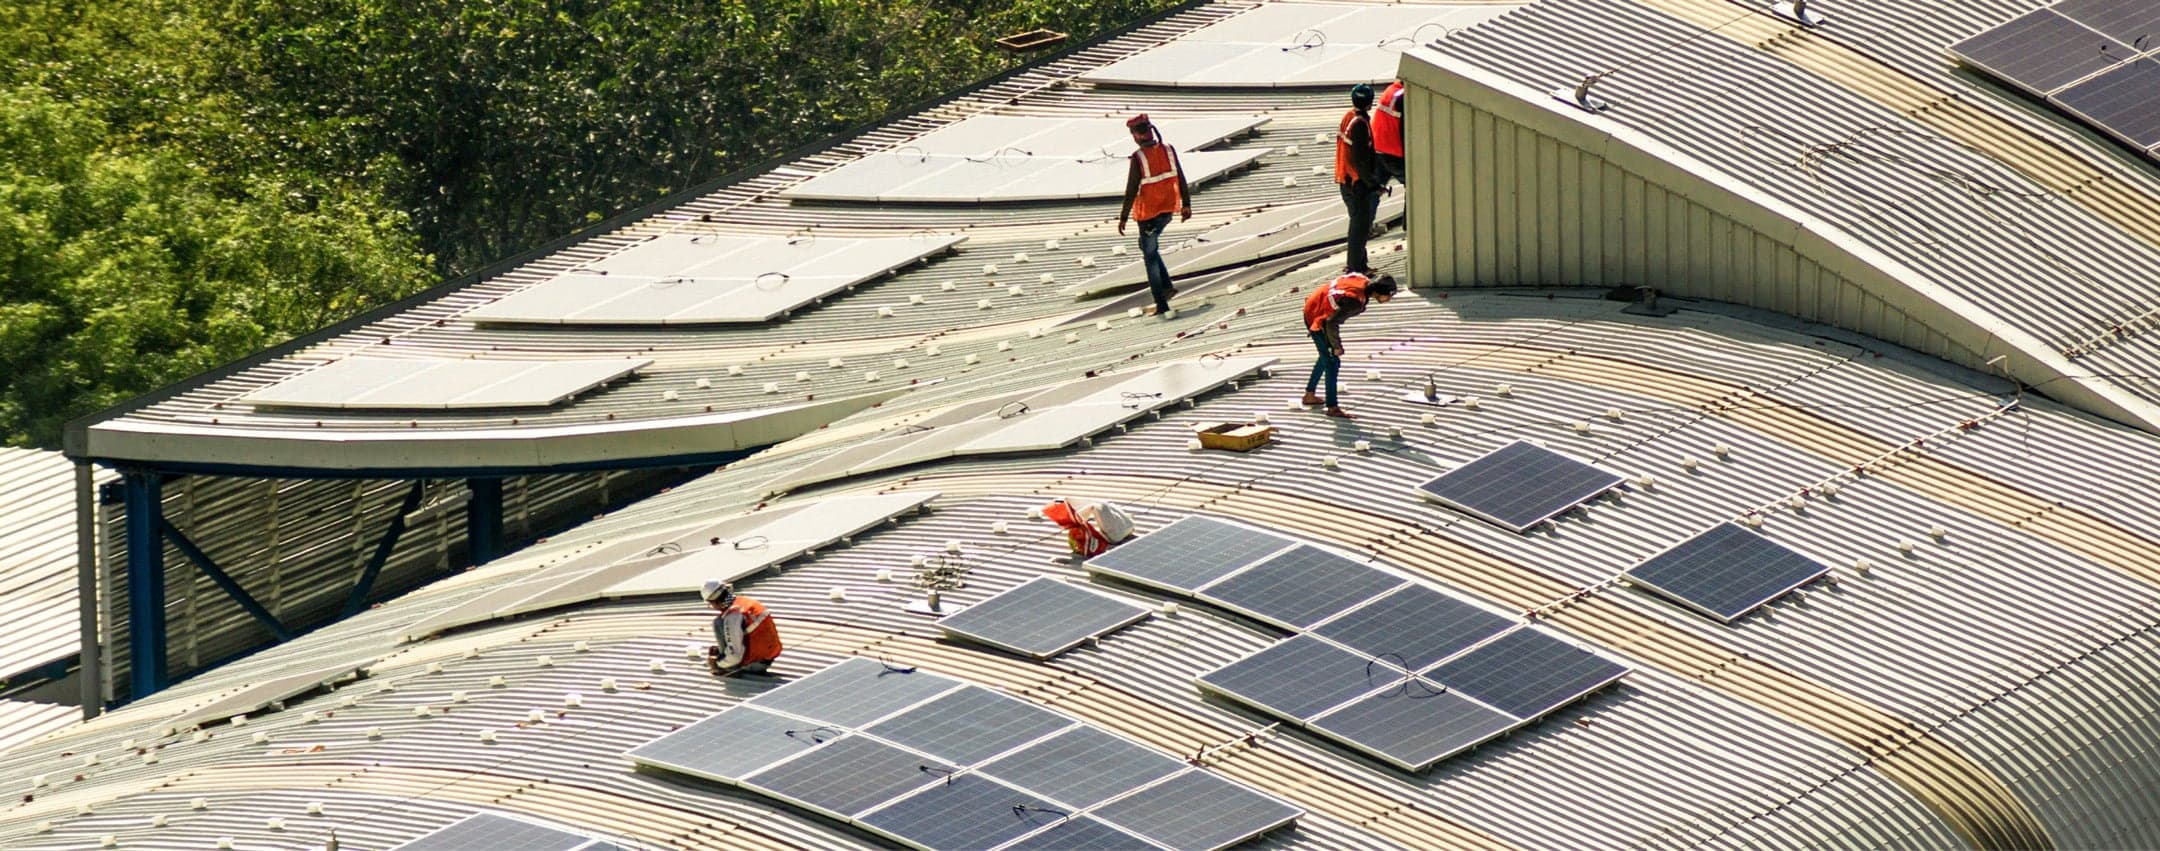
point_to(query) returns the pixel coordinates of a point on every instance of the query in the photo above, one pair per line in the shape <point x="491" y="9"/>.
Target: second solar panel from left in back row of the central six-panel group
<point x="1301" y="586"/>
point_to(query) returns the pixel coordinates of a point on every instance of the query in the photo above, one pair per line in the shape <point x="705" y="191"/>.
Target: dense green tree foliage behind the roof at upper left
<point x="185" y="183"/>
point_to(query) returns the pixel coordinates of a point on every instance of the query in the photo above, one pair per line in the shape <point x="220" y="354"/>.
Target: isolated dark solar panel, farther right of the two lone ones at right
<point x="1727" y="571"/>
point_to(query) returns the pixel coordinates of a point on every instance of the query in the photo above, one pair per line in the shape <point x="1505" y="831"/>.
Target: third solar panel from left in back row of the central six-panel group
<point x="1414" y="627"/>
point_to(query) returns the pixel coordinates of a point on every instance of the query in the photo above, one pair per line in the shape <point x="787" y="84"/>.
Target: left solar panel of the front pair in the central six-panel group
<point x="1299" y="677"/>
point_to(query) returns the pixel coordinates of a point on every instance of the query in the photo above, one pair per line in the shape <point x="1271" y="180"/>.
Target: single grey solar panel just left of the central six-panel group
<point x="1042" y="619"/>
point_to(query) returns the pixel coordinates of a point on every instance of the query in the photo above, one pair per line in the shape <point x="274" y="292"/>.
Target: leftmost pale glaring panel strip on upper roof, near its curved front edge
<point x="368" y="383"/>
